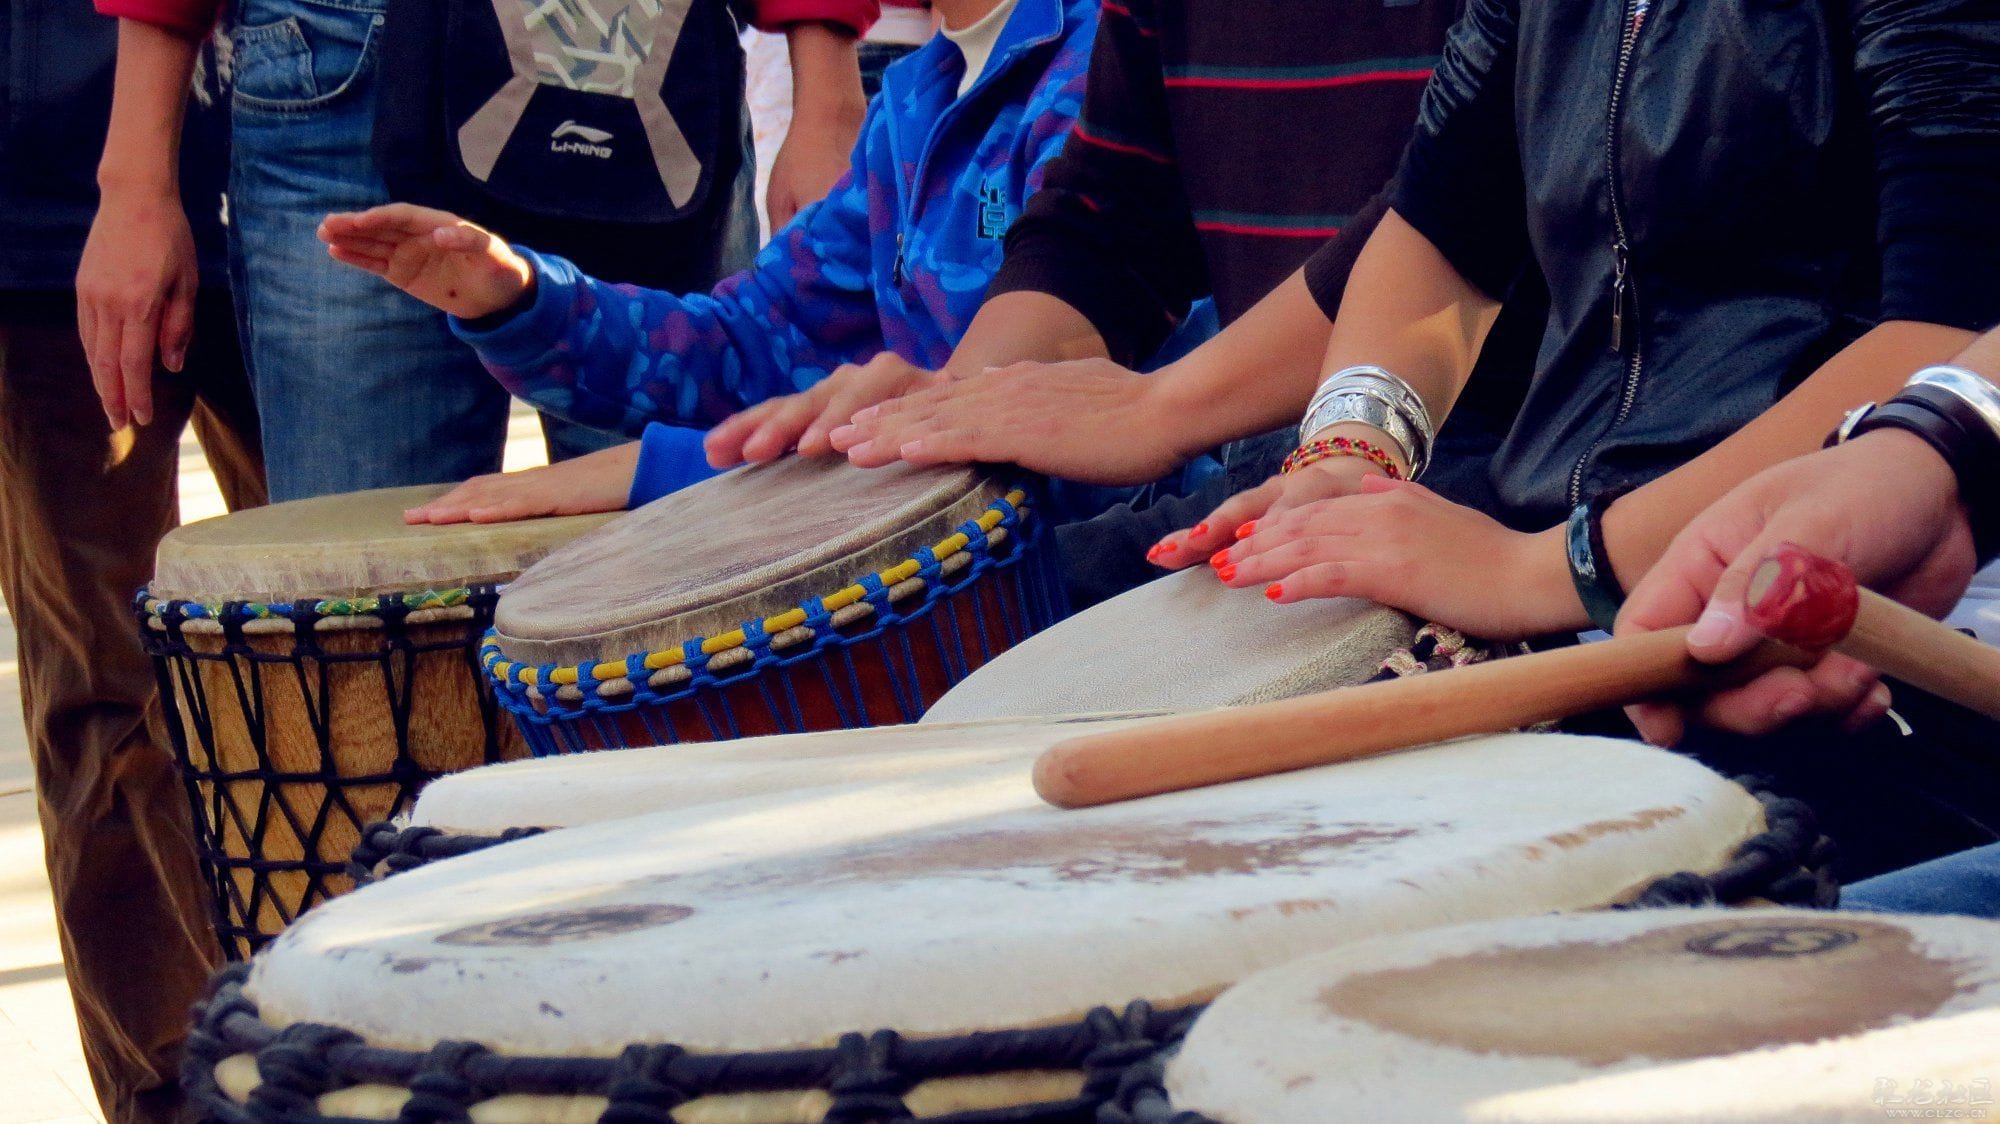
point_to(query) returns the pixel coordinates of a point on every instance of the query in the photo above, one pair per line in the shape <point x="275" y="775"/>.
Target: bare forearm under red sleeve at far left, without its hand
<point x="149" y="101"/>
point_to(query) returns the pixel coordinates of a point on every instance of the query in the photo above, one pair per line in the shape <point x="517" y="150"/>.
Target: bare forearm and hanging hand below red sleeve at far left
<point x="135" y="287"/>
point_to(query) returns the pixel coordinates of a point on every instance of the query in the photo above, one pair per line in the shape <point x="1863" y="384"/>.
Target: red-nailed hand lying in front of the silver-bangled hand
<point x="1407" y="547"/>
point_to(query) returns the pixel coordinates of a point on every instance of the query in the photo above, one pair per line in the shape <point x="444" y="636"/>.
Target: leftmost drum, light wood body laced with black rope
<point x="319" y="663"/>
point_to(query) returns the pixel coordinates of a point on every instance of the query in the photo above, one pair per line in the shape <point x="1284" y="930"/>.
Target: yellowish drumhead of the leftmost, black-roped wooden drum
<point x="345" y="547"/>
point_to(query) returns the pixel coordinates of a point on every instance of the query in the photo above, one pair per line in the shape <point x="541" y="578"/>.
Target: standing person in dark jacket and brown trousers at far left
<point x="83" y="503"/>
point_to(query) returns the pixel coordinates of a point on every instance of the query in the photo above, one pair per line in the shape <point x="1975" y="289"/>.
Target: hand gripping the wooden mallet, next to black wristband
<point x="1885" y="505"/>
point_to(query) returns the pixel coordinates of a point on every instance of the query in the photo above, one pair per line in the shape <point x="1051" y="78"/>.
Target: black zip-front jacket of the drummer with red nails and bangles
<point x="1775" y="175"/>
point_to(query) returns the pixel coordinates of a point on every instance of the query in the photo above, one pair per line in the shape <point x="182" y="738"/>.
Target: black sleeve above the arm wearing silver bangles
<point x="1461" y="181"/>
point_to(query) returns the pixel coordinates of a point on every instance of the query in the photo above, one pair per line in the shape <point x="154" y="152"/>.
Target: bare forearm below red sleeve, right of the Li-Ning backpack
<point x="827" y="117"/>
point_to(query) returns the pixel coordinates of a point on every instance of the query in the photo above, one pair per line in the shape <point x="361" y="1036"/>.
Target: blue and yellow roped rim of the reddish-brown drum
<point x="785" y="629"/>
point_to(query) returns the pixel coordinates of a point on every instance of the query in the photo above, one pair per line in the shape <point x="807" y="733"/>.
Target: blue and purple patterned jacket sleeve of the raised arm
<point x="619" y="357"/>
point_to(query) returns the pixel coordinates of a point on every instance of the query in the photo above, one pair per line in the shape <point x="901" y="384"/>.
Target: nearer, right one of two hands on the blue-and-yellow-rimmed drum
<point x="1087" y="421"/>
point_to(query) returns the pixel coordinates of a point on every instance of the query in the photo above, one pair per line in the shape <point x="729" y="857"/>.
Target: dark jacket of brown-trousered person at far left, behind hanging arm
<point x="55" y="105"/>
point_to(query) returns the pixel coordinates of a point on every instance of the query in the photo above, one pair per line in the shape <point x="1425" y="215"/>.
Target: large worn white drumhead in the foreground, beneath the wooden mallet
<point x="953" y="901"/>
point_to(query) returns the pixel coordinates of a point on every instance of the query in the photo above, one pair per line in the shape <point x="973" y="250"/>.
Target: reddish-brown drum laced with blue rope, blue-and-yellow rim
<point x="801" y="595"/>
